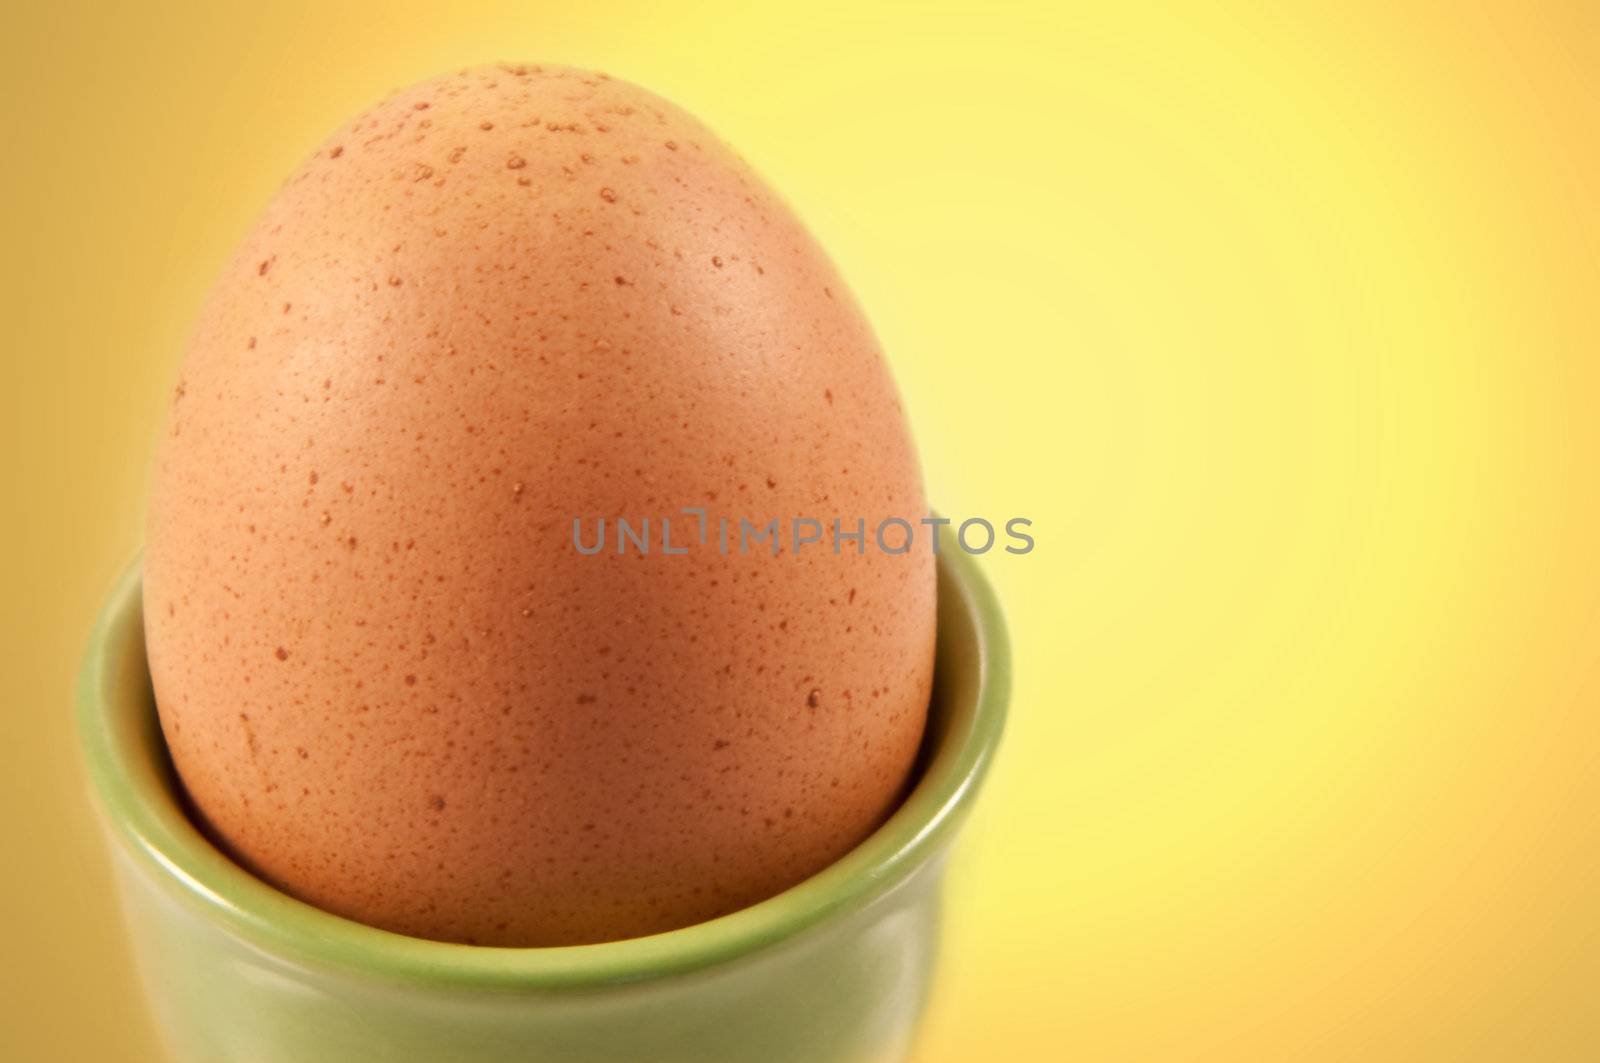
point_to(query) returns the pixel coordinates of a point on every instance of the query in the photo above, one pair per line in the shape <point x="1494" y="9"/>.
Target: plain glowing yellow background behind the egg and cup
<point x="1284" y="331"/>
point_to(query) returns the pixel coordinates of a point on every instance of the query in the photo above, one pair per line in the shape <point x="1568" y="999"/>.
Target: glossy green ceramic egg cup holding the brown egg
<point x="833" y="969"/>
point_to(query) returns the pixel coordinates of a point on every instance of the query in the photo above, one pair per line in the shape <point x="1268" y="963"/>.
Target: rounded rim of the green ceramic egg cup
<point x="134" y="782"/>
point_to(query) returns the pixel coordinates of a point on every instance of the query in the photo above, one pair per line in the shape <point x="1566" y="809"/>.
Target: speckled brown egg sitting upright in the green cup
<point x="390" y="680"/>
